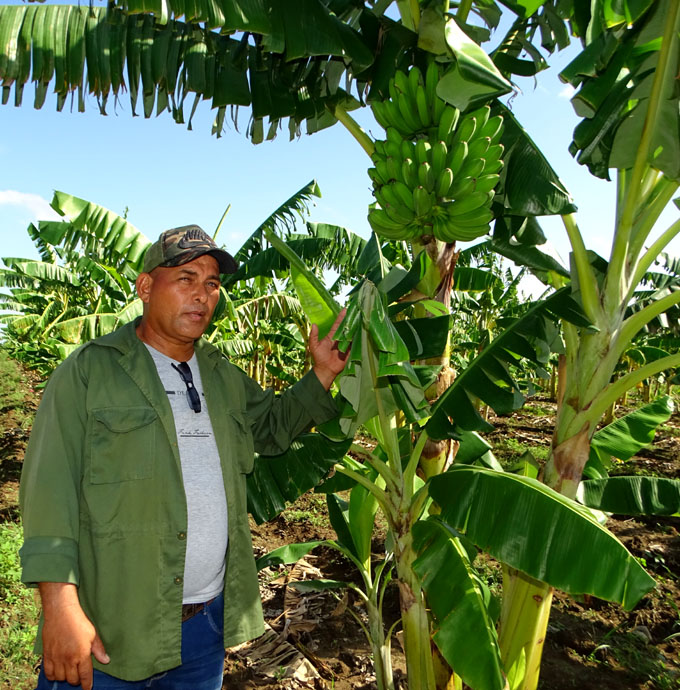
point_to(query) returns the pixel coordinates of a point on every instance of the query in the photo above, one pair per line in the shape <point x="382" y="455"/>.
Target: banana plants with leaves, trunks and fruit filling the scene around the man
<point x="445" y="346"/>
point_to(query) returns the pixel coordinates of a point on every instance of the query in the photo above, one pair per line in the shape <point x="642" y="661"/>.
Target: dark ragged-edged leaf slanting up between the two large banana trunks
<point x="487" y="377"/>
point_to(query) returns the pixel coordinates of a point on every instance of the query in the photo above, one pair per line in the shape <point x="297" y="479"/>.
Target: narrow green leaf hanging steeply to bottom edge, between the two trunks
<point x="463" y="630"/>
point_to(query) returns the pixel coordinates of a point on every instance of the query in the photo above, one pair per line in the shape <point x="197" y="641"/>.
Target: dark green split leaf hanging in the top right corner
<point x="614" y="73"/>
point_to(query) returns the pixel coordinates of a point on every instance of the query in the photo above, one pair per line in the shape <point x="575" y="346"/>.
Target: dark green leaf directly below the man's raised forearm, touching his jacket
<point x="276" y="480"/>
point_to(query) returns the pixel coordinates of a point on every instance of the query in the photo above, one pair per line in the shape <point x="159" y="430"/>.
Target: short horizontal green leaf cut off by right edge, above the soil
<point x="632" y="495"/>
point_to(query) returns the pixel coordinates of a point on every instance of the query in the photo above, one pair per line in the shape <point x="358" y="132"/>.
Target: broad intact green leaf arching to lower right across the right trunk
<point x="523" y="523"/>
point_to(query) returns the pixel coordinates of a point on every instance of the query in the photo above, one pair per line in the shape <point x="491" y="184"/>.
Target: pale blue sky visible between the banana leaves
<point x="167" y="176"/>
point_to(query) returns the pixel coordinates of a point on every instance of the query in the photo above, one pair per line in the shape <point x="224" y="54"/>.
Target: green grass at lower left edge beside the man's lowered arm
<point x="18" y="615"/>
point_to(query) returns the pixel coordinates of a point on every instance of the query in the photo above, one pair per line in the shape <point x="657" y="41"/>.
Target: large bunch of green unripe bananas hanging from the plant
<point x="436" y="172"/>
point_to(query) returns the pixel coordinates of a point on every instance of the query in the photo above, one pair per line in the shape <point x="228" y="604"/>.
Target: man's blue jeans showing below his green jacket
<point x="202" y="660"/>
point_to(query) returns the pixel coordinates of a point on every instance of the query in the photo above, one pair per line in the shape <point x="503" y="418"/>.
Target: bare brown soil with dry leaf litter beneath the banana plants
<point x="316" y="641"/>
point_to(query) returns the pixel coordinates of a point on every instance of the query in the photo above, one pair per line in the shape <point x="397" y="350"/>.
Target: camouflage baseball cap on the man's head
<point x="180" y="245"/>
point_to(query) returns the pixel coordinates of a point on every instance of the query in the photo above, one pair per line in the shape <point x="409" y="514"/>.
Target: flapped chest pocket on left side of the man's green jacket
<point x="122" y="444"/>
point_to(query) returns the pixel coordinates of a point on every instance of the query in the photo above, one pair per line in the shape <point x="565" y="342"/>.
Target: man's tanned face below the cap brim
<point x="180" y="300"/>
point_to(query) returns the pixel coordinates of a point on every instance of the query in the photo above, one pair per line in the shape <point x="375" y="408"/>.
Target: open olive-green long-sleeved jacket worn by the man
<point x="102" y="498"/>
